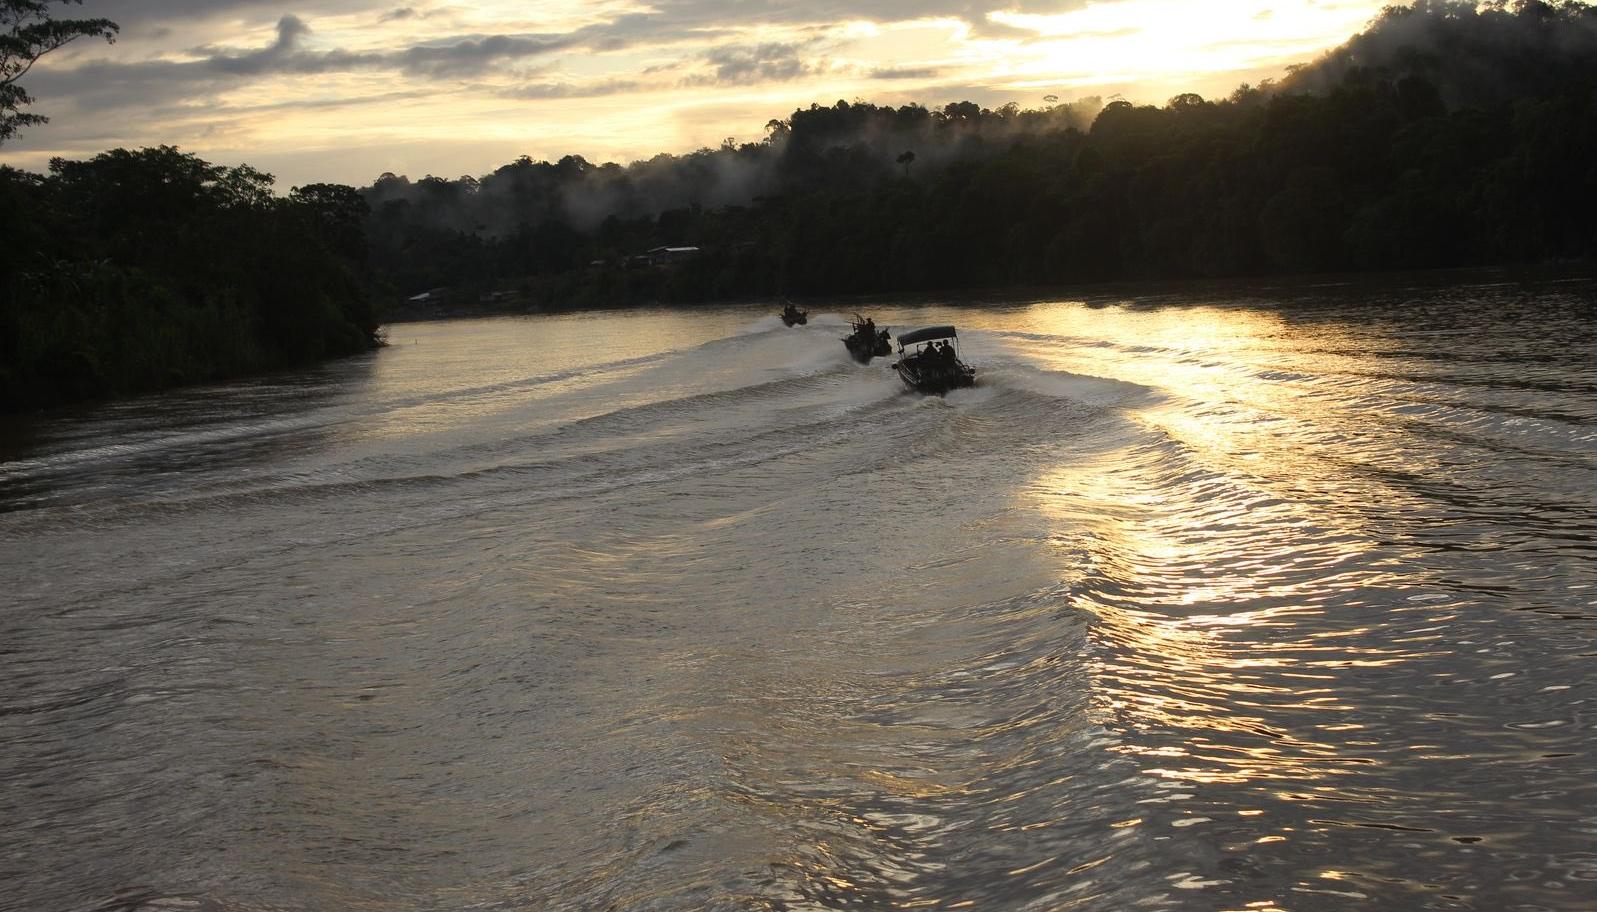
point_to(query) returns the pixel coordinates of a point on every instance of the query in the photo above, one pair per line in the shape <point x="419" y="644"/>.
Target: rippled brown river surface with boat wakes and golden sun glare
<point x="1253" y="601"/>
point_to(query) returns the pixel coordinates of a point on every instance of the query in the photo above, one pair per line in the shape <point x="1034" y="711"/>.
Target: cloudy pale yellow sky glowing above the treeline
<point x="346" y="90"/>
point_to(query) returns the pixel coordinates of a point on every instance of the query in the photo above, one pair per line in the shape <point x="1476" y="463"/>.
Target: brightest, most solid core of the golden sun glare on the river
<point x="1211" y="555"/>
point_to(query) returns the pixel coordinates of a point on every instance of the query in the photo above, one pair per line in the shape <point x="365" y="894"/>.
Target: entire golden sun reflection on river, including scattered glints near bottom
<point x="1267" y="608"/>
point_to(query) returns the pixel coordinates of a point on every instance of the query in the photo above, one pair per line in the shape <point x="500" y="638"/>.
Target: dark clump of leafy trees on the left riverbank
<point x="140" y="271"/>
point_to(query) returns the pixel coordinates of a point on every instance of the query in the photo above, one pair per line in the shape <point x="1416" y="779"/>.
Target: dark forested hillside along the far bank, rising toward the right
<point x="1446" y="135"/>
